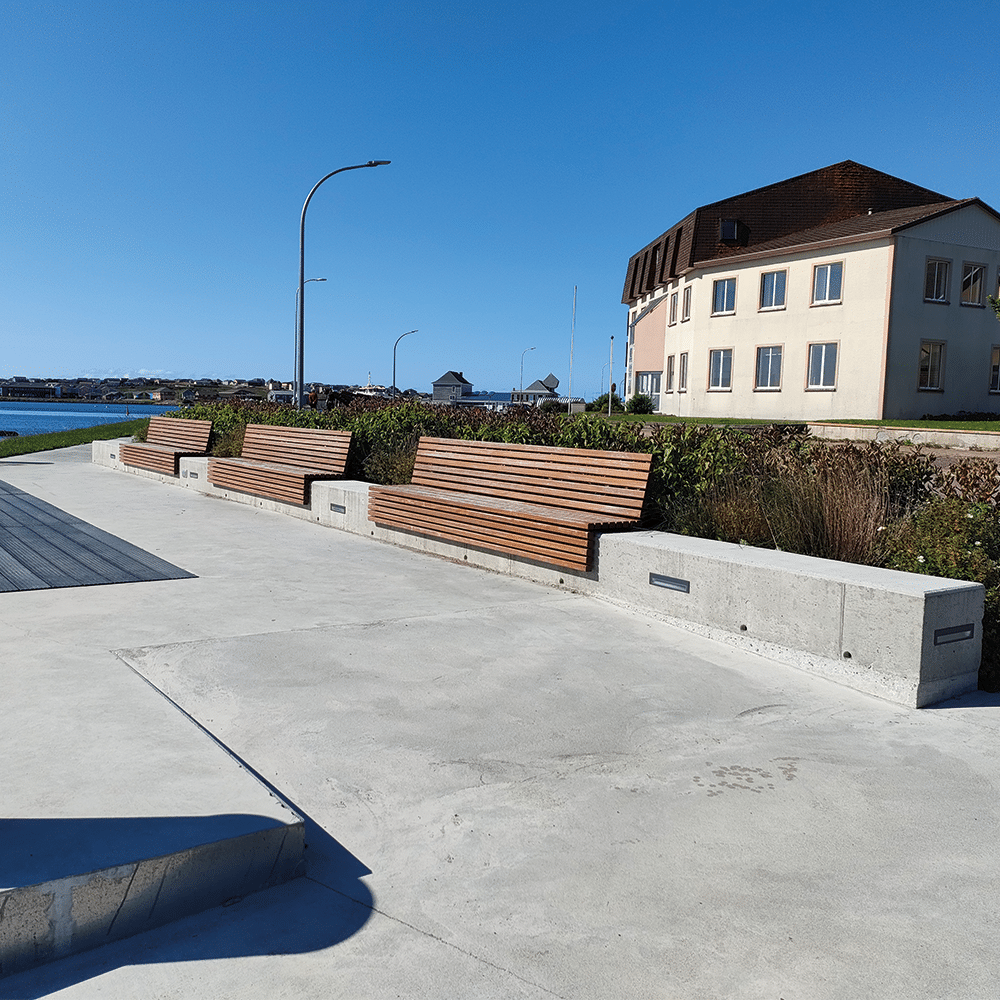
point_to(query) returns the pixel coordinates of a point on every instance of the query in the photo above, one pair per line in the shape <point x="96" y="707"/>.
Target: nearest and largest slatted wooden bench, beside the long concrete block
<point x="544" y="504"/>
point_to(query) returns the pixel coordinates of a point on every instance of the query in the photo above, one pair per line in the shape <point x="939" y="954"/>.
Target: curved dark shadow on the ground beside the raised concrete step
<point x="326" y="906"/>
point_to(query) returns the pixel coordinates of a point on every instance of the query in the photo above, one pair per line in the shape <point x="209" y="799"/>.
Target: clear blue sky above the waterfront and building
<point x="155" y="158"/>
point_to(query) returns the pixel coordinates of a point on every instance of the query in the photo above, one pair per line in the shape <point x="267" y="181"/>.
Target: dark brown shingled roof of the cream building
<point x="822" y="198"/>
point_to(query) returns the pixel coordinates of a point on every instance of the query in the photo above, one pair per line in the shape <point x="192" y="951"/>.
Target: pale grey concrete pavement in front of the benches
<point x="510" y="791"/>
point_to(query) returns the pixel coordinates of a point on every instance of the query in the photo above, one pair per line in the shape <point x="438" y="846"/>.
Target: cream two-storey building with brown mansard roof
<point x="841" y="293"/>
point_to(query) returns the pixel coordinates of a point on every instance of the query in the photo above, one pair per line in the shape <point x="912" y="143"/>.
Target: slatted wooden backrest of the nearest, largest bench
<point x="601" y="482"/>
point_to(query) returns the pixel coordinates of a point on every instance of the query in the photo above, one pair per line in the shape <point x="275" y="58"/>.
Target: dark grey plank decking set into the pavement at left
<point x="42" y="546"/>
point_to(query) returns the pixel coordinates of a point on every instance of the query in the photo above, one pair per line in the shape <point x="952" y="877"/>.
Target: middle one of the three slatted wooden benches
<point x="280" y="462"/>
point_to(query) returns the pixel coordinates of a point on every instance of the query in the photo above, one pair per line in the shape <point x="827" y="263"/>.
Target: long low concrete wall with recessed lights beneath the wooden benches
<point x="911" y="639"/>
